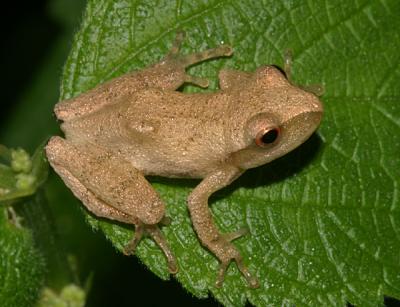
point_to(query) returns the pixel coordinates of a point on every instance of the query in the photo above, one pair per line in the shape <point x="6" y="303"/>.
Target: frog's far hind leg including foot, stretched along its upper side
<point x="169" y="74"/>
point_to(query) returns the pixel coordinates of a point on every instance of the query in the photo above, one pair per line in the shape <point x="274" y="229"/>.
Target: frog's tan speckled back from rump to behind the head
<point x="164" y="133"/>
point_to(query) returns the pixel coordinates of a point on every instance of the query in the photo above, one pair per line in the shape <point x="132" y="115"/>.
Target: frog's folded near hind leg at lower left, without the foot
<point x="108" y="185"/>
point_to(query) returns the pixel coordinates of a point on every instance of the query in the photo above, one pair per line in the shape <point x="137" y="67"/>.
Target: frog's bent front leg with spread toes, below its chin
<point x="207" y="231"/>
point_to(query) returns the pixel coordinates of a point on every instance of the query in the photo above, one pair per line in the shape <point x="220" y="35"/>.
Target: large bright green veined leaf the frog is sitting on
<point x="325" y="219"/>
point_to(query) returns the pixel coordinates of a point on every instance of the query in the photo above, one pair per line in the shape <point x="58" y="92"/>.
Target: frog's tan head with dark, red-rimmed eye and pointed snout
<point x="284" y="116"/>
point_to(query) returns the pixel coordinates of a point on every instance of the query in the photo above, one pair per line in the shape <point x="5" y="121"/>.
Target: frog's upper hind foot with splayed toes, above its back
<point x="194" y="58"/>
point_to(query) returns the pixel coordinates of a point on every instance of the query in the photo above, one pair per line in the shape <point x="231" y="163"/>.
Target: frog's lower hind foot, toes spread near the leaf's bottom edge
<point x="155" y="233"/>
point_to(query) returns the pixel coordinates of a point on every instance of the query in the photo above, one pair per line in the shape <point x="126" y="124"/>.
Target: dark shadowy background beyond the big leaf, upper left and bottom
<point x="35" y="37"/>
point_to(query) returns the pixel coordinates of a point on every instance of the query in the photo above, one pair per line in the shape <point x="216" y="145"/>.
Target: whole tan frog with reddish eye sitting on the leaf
<point x="139" y="124"/>
